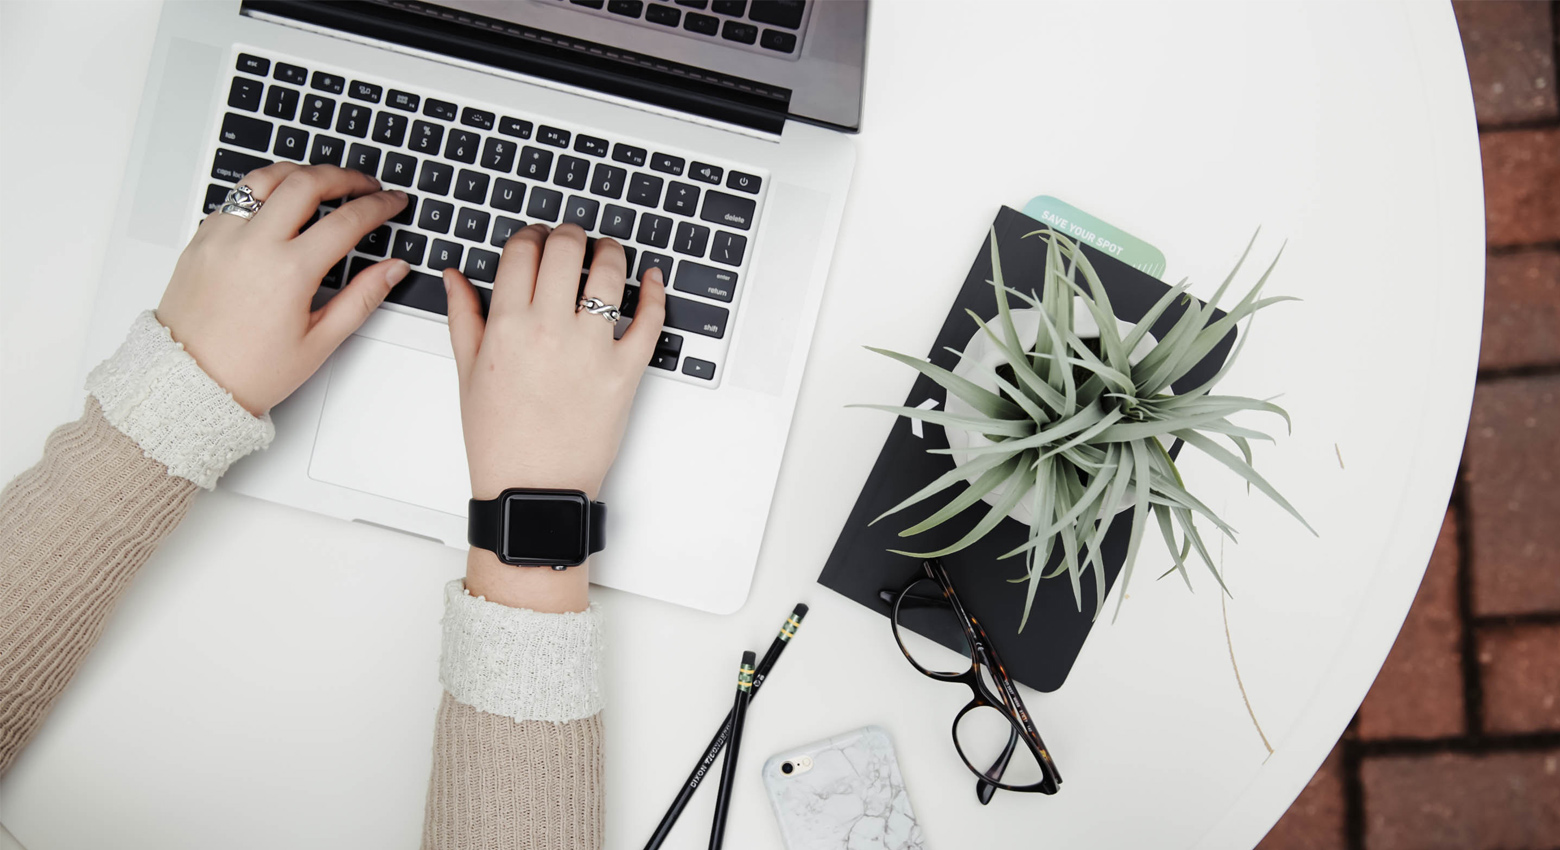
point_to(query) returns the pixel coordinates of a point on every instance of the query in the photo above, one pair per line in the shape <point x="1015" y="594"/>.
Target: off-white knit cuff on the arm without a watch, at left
<point x="155" y="394"/>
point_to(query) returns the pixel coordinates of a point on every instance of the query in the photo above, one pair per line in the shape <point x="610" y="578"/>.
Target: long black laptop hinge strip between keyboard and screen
<point x="537" y="54"/>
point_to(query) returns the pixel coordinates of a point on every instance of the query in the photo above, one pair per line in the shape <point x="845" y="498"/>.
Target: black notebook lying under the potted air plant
<point x="862" y="565"/>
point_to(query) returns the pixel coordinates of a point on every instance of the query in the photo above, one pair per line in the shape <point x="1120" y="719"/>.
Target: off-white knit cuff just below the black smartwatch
<point x="522" y="664"/>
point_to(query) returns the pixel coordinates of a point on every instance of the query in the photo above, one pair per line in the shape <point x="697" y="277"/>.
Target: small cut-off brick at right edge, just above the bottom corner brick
<point x="1520" y="675"/>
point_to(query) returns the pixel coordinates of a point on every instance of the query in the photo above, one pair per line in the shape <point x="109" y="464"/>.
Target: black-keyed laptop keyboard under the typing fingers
<point x="477" y="174"/>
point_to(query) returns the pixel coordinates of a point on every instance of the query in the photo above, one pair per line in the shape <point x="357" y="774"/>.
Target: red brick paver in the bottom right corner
<point x="1462" y="802"/>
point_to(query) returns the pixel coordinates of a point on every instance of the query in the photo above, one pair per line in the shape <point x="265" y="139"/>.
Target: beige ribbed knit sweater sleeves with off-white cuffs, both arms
<point x="517" y="740"/>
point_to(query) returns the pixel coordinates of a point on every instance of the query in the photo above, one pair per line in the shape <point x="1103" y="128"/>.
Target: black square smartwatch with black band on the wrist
<point x="539" y="528"/>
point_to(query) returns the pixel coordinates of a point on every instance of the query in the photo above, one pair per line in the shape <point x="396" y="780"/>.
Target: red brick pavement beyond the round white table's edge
<point x="1458" y="746"/>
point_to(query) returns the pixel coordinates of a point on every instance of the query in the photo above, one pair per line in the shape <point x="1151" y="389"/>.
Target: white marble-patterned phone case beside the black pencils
<point x="853" y="798"/>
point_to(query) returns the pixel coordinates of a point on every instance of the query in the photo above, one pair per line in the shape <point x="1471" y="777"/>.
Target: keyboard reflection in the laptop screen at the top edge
<point x="768" y="27"/>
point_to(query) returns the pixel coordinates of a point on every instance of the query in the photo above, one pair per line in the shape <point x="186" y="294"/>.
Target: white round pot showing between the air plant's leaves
<point x="985" y="352"/>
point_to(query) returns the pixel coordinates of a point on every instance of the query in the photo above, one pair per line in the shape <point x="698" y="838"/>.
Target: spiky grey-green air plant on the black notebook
<point x="1082" y="430"/>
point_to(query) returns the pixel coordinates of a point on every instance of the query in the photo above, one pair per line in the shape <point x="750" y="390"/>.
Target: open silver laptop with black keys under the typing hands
<point x="712" y="138"/>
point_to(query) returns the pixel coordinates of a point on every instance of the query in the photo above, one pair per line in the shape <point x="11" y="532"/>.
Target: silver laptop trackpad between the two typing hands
<point x="392" y="427"/>
